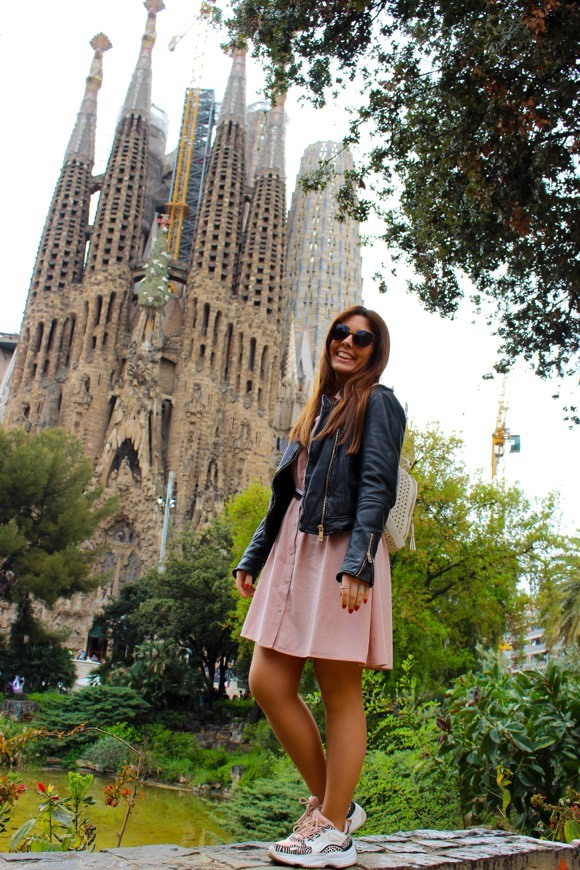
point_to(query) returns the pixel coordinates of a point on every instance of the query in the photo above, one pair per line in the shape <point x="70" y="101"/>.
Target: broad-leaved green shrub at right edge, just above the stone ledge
<point x="511" y="736"/>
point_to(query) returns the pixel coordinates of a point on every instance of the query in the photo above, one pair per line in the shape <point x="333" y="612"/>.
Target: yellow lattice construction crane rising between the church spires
<point x="178" y="209"/>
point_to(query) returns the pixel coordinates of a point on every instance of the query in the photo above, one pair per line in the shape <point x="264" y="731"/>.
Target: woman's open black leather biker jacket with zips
<point x="341" y="493"/>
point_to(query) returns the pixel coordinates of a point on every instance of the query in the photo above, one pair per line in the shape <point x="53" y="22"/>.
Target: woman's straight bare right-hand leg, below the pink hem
<point x="346" y="734"/>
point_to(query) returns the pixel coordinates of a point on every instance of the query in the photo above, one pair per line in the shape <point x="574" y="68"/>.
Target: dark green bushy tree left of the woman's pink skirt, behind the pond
<point x="189" y="604"/>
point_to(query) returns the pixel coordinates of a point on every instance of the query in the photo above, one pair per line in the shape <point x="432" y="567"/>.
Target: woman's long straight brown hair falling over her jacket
<point x="349" y="412"/>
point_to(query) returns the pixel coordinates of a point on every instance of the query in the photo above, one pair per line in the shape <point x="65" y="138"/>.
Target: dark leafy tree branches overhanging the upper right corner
<point x="468" y="119"/>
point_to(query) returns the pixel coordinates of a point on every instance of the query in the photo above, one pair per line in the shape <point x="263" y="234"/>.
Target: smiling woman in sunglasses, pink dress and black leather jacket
<point x="324" y="592"/>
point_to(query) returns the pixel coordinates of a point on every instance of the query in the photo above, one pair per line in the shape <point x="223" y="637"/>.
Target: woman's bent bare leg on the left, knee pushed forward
<point x="274" y="682"/>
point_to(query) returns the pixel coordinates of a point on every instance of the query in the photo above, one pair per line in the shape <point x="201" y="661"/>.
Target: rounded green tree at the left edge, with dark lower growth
<point x="48" y="512"/>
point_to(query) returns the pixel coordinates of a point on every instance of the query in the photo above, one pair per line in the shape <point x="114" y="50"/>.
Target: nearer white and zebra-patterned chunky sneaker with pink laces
<point x="317" y="844"/>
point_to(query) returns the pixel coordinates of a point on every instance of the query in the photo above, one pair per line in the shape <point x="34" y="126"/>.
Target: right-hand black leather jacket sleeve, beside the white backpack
<point x="384" y="430"/>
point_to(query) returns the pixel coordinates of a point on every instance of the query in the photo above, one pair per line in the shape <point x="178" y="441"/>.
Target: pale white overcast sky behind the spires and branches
<point x="436" y="365"/>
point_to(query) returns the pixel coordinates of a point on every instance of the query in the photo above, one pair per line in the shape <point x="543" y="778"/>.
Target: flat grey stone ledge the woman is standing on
<point x="472" y="849"/>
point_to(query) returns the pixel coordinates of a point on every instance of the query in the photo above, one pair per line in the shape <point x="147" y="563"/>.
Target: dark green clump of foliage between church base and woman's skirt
<point x="181" y="614"/>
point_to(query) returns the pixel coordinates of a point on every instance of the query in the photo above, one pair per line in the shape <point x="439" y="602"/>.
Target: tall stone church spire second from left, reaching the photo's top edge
<point x="117" y="238"/>
